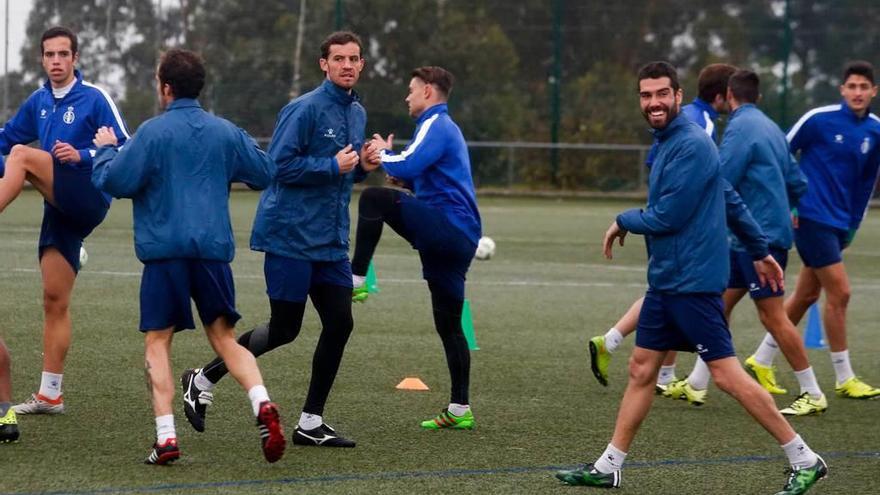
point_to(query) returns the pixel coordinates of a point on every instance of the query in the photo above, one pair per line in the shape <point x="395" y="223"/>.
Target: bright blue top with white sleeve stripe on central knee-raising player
<point x="437" y="165"/>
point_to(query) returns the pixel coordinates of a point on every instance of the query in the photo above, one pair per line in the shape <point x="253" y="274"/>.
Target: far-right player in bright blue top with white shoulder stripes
<point x="840" y="155"/>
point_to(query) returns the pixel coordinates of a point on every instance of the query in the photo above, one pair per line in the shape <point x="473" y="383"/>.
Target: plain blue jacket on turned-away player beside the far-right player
<point x="756" y="161"/>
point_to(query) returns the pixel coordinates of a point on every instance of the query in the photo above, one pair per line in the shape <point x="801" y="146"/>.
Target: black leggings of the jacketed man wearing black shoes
<point x="333" y="304"/>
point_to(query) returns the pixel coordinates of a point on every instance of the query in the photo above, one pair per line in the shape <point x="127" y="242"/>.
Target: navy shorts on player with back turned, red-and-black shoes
<point x="168" y="285"/>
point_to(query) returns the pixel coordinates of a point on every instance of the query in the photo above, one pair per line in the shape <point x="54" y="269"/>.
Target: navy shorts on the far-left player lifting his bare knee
<point x="78" y="209"/>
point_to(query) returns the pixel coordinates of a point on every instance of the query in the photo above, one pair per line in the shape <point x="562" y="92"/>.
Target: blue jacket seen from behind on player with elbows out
<point x="177" y="169"/>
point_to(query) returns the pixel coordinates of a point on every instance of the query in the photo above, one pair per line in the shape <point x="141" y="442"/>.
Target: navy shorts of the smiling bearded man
<point x="685" y="322"/>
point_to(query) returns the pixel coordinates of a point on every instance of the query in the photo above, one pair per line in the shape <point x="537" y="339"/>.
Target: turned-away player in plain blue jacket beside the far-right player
<point x="756" y="161"/>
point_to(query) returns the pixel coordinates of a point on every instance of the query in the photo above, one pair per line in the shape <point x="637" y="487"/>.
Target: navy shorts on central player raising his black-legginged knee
<point x="446" y="252"/>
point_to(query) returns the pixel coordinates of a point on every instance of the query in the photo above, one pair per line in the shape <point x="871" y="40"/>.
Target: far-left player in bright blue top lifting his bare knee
<point x="63" y="115"/>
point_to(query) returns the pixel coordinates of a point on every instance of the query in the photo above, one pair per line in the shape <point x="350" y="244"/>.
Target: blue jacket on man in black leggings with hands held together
<point x="304" y="212"/>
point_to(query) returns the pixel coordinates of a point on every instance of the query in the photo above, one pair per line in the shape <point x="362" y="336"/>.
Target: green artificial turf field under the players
<point x="538" y="408"/>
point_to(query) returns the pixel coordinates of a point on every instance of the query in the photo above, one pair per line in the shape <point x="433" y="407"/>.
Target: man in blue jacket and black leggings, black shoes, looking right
<point x="302" y="225"/>
